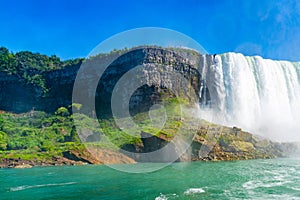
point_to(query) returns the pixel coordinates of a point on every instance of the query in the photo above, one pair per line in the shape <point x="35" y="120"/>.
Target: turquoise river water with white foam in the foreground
<point x="254" y="179"/>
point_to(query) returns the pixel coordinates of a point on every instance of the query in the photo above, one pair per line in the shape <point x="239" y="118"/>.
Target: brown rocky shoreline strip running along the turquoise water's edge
<point x="232" y="144"/>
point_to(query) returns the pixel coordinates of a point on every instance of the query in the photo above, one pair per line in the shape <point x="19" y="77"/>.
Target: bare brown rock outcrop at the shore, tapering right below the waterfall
<point x="211" y="143"/>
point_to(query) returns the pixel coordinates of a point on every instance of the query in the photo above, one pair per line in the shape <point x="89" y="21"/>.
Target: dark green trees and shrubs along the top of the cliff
<point x="32" y="67"/>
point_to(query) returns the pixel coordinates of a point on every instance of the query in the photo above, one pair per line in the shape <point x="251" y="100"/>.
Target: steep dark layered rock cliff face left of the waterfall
<point x="165" y="72"/>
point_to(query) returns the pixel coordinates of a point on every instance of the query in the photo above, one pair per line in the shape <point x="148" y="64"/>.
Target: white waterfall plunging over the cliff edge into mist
<point x="256" y="94"/>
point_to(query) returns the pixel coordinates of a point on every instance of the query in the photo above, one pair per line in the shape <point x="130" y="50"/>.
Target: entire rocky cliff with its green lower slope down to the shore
<point x="162" y="74"/>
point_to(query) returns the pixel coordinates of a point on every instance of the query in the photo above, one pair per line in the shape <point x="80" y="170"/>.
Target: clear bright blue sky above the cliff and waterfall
<point x="72" y="29"/>
